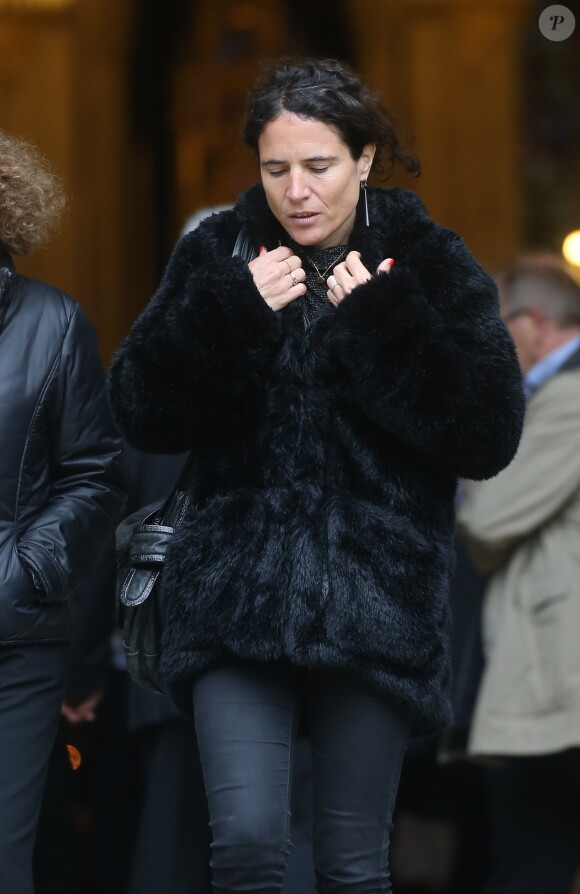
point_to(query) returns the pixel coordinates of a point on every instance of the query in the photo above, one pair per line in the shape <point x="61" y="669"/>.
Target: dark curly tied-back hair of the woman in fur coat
<point x="330" y="91"/>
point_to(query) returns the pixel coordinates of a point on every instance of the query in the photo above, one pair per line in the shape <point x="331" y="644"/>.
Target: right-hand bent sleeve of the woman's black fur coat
<point x="428" y="356"/>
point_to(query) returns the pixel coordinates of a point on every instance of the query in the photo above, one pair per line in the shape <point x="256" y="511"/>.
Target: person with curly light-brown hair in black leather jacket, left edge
<point x="62" y="488"/>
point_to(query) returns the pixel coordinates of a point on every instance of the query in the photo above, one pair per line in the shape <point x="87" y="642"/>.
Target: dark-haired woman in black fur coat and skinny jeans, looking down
<point x="332" y="390"/>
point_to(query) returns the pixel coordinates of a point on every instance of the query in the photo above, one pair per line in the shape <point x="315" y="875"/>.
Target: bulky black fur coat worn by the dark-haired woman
<point x="327" y="457"/>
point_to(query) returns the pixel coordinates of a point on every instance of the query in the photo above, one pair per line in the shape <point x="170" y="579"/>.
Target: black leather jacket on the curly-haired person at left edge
<point x="62" y="483"/>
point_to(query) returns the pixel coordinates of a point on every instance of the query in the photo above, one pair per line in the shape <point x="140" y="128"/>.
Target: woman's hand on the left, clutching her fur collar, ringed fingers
<point x="278" y="276"/>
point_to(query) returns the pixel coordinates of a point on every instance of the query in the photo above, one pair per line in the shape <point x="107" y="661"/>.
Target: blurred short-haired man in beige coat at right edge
<point x="523" y="528"/>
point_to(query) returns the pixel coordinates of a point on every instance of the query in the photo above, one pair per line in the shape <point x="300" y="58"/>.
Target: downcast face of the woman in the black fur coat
<point x="311" y="180"/>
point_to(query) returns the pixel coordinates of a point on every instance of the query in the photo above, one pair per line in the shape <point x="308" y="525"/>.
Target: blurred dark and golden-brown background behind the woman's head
<point x="138" y="104"/>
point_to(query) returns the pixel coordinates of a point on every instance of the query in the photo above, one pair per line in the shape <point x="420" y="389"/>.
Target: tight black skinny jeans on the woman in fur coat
<point x="246" y="720"/>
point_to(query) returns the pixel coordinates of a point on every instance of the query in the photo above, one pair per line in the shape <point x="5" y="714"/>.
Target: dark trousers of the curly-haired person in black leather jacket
<point x="32" y="679"/>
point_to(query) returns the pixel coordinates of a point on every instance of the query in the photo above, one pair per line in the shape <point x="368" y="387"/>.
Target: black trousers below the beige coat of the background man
<point x="535" y="818"/>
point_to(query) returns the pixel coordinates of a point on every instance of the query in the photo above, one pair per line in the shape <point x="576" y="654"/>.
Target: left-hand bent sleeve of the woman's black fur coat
<point x="201" y="346"/>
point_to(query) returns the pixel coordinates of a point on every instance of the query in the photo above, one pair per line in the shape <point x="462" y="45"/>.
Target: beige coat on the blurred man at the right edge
<point x="524" y="527"/>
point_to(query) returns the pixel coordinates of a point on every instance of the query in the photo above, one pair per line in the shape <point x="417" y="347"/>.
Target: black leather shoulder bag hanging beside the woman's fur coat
<point x="142" y="541"/>
